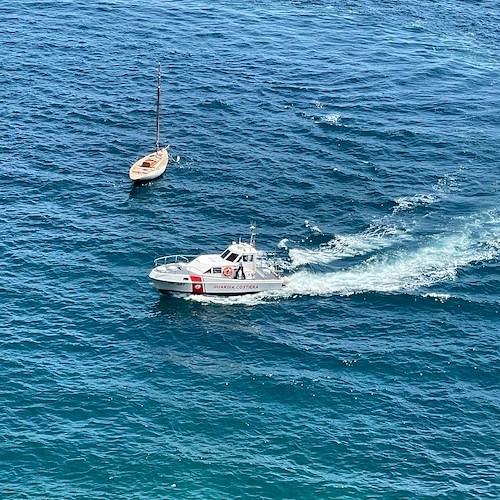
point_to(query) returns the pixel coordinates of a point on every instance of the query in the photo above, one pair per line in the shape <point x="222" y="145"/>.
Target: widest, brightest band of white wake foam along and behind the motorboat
<point x="436" y="261"/>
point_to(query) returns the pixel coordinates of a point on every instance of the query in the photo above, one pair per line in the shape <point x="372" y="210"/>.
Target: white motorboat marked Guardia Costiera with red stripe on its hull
<point x="235" y="271"/>
